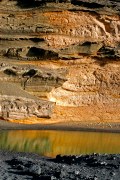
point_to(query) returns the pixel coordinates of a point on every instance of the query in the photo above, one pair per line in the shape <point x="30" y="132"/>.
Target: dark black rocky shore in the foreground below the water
<point x="24" y="166"/>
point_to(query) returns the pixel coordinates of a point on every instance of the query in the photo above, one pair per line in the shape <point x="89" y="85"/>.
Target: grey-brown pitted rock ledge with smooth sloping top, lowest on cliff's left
<point x="18" y="104"/>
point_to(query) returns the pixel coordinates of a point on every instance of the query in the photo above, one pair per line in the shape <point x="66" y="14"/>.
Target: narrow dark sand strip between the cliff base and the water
<point x="114" y="128"/>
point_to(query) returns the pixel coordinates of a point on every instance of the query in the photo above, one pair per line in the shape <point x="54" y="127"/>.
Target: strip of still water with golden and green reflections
<point x="51" y="143"/>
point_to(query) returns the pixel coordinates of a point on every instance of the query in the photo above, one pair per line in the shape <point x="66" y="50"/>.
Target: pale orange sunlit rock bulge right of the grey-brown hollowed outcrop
<point x="89" y="85"/>
